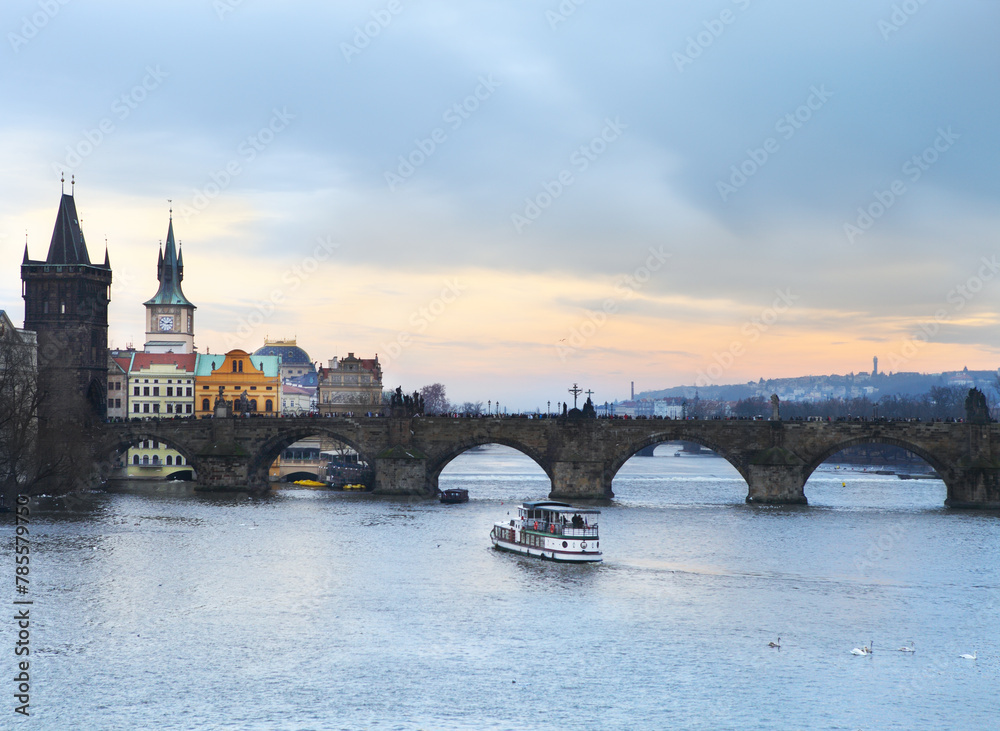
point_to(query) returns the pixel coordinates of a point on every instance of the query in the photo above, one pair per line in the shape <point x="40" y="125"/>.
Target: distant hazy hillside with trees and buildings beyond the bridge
<point x="816" y="388"/>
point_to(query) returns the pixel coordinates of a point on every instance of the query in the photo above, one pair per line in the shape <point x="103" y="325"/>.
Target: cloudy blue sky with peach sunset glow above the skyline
<point x="512" y="197"/>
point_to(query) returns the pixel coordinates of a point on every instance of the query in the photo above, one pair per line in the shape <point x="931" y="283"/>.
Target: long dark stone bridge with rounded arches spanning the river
<point x="580" y="456"/>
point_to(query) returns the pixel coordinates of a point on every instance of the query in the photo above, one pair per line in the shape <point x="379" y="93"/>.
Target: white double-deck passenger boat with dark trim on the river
<point x="551" y="530"/>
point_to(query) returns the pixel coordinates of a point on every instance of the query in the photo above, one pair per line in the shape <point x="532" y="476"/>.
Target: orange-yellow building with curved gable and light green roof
<point x="257" y="377"/>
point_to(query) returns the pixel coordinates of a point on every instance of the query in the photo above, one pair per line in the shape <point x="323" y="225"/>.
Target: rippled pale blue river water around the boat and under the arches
<point x="155" y="608"/>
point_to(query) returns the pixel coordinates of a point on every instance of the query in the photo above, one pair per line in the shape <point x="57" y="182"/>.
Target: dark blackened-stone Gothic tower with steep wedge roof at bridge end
<point x="66" y="302"/>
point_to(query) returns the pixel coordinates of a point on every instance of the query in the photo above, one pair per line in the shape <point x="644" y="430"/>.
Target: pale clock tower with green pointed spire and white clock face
<point x="169" y="315"/>
